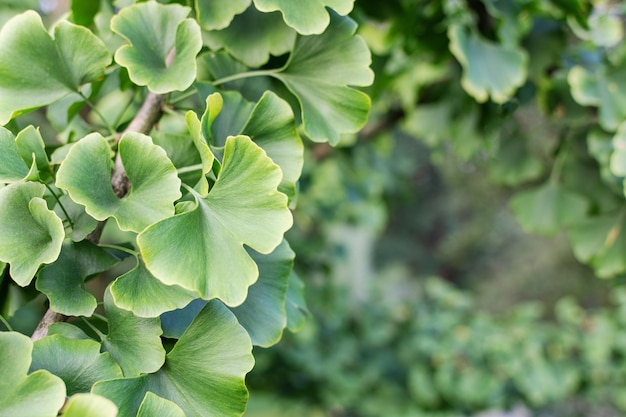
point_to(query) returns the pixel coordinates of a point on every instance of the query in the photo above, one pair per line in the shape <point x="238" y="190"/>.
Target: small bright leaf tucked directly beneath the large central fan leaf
<point x="144" y="295"/>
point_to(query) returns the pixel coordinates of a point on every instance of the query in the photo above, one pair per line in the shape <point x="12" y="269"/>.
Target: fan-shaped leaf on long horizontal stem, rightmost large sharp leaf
<point x="319" y="72"/>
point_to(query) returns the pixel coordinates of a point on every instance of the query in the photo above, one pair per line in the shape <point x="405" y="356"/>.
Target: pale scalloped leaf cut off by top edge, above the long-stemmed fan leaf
<point x="307" y="17"/>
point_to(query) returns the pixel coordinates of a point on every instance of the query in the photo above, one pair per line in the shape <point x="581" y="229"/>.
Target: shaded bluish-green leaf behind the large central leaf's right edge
<point x="263" y="313"/>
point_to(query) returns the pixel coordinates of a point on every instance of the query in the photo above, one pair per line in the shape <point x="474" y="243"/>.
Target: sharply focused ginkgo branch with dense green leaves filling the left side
<point x="157" y="145"/>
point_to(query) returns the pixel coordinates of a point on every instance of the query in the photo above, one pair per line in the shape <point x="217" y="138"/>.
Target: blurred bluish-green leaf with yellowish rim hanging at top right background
<point x="489" y="69"/>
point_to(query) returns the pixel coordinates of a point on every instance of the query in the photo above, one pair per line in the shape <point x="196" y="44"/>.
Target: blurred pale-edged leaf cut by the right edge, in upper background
<point x="603" y="88"/>
